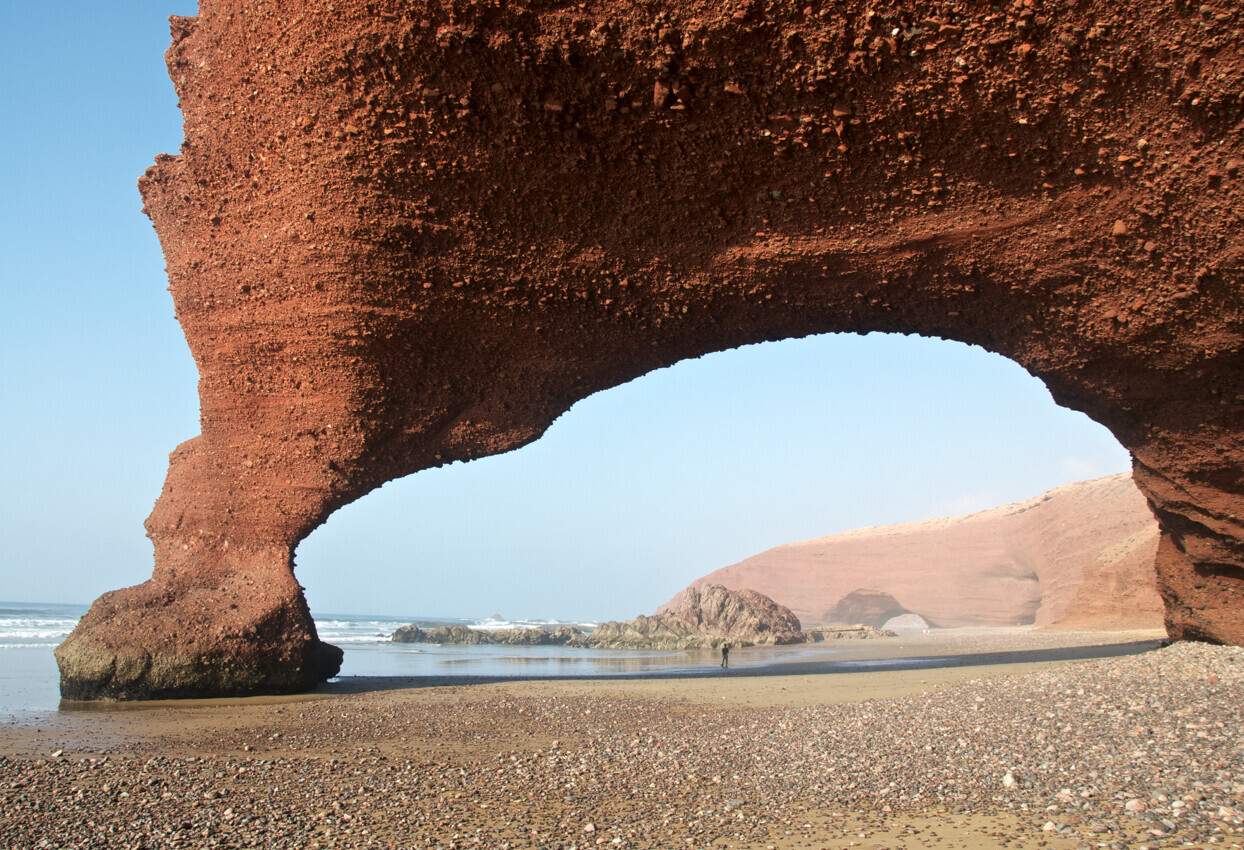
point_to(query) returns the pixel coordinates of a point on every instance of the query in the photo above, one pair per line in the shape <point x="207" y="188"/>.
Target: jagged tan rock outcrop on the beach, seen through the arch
<point x="705" y="617"/>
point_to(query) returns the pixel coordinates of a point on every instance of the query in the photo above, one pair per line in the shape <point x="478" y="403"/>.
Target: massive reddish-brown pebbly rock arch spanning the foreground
<point x="402" y="233"/>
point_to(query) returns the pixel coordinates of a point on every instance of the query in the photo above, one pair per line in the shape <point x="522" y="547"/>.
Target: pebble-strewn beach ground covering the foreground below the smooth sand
<point x="1131" y="752"/>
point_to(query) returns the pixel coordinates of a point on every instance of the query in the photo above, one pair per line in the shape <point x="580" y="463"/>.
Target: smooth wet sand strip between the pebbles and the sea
<point x="766" y="676"/>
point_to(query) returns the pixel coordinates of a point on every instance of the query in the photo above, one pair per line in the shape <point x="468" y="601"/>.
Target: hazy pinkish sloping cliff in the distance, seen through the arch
<point x="1080" y="556"/>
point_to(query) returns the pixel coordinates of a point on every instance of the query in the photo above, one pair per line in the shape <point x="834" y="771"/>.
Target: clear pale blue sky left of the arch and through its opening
<point x="631" y="495"/>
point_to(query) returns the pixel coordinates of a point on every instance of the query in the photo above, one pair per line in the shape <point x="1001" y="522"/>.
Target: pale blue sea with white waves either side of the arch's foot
<point x="29" y="633"/>
